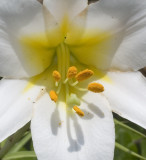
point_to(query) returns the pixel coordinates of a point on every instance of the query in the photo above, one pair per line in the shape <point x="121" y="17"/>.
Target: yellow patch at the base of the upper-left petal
<point x="37" y="53"/>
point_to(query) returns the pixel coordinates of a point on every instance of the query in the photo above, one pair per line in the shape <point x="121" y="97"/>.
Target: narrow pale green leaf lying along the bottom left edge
<point x="18" y="155"/>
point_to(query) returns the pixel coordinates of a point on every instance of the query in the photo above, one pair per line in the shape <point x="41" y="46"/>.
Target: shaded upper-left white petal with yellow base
<point x="23" y="40"/>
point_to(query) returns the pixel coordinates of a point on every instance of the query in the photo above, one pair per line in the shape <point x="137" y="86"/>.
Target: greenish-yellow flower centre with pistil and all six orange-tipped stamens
<point x="67" y="76"/>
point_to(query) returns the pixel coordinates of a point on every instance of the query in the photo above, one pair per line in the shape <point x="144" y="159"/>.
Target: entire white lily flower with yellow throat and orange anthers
<point x="107" y="37"/>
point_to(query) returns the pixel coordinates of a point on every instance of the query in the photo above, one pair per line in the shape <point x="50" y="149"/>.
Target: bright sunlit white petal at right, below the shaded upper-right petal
<point x="127" y="95"/>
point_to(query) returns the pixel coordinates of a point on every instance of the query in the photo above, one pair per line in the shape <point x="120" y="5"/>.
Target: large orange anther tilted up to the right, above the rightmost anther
<point x="83" y="75"/>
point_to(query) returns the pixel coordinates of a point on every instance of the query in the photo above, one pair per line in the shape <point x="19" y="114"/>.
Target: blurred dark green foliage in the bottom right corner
<point x="130" y="140"/>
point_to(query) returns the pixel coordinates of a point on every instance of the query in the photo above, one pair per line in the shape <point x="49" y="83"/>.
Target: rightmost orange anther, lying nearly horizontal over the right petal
<point x="95" y="87"/>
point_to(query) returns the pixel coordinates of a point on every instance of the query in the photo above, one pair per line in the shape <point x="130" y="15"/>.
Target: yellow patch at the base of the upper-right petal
<point x="94" y="48"/>
